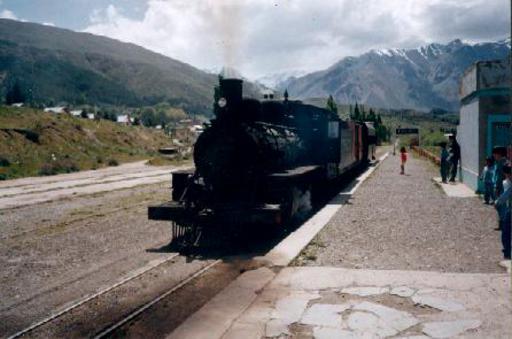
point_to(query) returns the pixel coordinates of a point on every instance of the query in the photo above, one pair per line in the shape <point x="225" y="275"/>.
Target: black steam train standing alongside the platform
<point x="263" y="162"/>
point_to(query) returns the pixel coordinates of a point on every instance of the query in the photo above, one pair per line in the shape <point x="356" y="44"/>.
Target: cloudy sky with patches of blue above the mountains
<point x="262" y="37"/>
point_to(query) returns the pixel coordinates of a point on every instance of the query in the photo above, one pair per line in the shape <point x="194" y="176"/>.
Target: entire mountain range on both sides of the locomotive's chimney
<point x="54" y="65"/>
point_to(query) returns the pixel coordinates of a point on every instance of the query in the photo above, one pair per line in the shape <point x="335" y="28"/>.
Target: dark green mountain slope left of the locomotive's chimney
<point x="55" y="65"/>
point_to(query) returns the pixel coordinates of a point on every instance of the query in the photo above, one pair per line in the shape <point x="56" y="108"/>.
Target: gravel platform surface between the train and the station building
<point x="406" y="222"/>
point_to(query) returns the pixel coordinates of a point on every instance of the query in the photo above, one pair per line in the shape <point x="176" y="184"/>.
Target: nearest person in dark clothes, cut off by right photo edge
<point x="503" y="206"/>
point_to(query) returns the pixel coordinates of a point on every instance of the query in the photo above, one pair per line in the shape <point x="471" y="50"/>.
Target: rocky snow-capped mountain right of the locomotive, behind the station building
<point x="423" y="78"/>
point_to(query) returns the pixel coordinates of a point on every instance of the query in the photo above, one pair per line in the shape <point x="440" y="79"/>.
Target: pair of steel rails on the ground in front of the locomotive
<point x="104" y="291"/>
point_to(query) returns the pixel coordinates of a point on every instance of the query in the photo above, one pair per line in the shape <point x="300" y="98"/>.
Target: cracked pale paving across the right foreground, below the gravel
<point x="331" y="303"/>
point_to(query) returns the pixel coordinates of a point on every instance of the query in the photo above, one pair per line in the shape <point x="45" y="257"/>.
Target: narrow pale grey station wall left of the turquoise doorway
<point x="468" y="137"/>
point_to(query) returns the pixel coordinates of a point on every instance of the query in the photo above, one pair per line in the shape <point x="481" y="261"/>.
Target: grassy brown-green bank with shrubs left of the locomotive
<point x="33" y="142"/>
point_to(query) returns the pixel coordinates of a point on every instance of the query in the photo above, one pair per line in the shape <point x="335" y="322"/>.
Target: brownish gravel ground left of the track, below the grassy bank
<point x="56" y="252"/>
